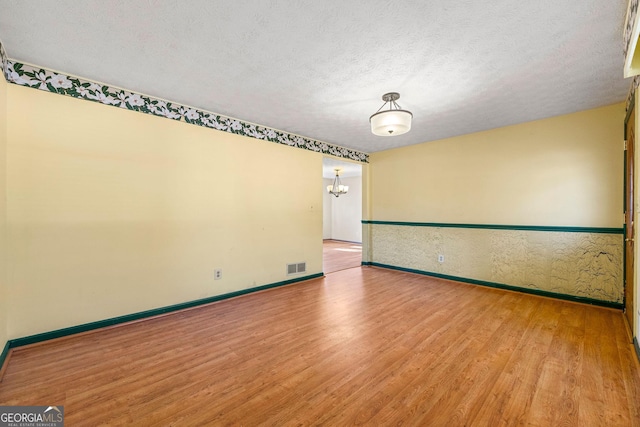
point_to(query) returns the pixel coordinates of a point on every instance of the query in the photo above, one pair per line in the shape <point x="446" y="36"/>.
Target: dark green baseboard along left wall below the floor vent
<point x="32" y="339"/>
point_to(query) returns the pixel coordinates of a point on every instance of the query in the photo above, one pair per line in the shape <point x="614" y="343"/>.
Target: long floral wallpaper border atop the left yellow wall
<point x="44" y="79"/>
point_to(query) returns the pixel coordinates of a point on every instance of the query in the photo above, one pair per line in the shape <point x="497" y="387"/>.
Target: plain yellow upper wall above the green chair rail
<point x="564" y="171"/>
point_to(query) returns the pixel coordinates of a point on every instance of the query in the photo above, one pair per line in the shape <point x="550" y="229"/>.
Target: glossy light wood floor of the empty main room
<point x="360" y="346"/>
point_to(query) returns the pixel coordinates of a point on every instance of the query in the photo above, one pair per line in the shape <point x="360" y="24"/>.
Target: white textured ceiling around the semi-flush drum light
<point x="319" y="68"/>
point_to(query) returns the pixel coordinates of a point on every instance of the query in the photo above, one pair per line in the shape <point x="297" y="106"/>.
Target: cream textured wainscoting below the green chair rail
<point x="579" y="264"/>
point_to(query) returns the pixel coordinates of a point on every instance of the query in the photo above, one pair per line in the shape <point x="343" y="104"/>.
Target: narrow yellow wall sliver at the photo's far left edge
<point x="3" y="220"/>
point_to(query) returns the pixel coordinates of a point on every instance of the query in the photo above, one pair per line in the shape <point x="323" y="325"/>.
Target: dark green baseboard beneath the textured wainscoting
<point x="565" y="297"/>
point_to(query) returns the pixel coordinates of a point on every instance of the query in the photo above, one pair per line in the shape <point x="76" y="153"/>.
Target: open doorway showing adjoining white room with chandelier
<point x="342" y="216"/>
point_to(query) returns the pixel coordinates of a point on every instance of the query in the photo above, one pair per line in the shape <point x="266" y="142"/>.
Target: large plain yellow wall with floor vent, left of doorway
<point x="112" y="212"/>
